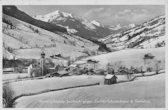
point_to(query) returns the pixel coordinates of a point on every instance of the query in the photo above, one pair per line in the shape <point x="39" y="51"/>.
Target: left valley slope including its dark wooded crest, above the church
<point x="25" y="38"/>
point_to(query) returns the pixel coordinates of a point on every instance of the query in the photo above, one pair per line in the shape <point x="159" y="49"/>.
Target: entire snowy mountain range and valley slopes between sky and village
<point x="78" y="36"/>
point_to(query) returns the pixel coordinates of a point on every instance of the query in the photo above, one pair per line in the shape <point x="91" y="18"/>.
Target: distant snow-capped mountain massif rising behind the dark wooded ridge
<point x="75" y="25"/>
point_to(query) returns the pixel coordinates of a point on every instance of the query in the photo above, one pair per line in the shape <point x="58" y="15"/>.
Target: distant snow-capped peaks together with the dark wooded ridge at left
<point x="58" y="21"/>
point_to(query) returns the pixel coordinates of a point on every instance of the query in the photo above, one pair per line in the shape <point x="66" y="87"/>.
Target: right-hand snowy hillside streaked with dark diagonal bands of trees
<point x="149" y="34"/>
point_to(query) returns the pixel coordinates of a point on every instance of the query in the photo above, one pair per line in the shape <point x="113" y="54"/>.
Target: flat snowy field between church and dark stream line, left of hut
<point x="33" y="86"/>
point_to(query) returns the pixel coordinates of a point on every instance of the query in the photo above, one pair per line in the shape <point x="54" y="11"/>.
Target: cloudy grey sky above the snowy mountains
<point x="105" y="14"/>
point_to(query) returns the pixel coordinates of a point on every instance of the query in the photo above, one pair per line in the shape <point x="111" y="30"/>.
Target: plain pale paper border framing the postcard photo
<point x="90" y="2"/>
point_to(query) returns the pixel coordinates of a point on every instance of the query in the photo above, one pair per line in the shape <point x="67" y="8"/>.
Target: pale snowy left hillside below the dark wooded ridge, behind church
<point x="24" y="40"/>
